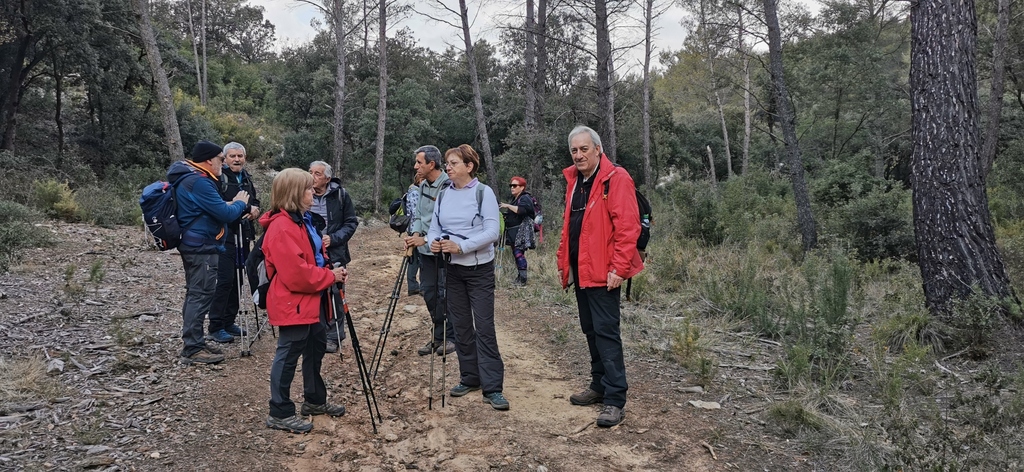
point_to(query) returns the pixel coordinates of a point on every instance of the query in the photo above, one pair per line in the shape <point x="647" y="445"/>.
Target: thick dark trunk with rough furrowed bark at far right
<point x="953" y="226"/>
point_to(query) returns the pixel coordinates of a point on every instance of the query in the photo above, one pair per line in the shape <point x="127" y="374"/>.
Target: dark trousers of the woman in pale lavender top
<point x="472" y="312"/>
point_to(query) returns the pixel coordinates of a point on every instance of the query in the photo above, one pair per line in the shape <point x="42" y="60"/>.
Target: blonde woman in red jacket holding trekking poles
<point x="297" y="301"/>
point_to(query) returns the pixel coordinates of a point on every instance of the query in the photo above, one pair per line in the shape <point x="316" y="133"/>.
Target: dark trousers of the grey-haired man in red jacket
<point x="600" y="319"/>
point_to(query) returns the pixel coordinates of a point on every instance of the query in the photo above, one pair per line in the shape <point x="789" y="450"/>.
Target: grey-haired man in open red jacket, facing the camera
<point x="596" y="253"/>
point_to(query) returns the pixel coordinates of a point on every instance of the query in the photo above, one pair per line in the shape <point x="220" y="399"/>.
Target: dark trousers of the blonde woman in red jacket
<point x="310" y="341"/>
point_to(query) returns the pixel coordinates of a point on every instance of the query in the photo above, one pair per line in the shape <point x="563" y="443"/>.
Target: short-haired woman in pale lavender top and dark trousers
<point x="463" y="230"/>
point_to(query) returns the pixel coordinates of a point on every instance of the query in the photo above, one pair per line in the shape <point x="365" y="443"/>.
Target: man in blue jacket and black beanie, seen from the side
<point x="202" y="213"/>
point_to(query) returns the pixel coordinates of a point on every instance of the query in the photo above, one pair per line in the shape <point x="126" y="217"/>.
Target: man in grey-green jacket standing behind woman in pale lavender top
<point x="429" y="166"/>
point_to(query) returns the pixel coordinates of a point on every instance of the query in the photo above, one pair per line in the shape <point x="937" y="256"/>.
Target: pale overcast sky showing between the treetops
<point x="292" y="21"/>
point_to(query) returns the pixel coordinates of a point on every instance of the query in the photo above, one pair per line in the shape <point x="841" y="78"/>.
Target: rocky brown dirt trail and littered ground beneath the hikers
<point x="101" y="313"/>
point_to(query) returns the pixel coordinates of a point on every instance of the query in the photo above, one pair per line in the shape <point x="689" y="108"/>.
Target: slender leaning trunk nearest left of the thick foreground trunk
<point x="788" y="121"/>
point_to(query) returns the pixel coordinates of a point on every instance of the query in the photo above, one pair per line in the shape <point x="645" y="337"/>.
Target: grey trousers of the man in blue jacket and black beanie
<point x="201" y="285"/>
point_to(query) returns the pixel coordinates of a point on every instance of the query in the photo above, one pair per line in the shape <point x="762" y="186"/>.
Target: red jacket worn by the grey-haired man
<point x="611" y="229"/>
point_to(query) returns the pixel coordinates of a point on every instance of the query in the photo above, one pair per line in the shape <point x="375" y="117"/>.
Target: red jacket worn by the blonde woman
<point x="294" y="296"/>
